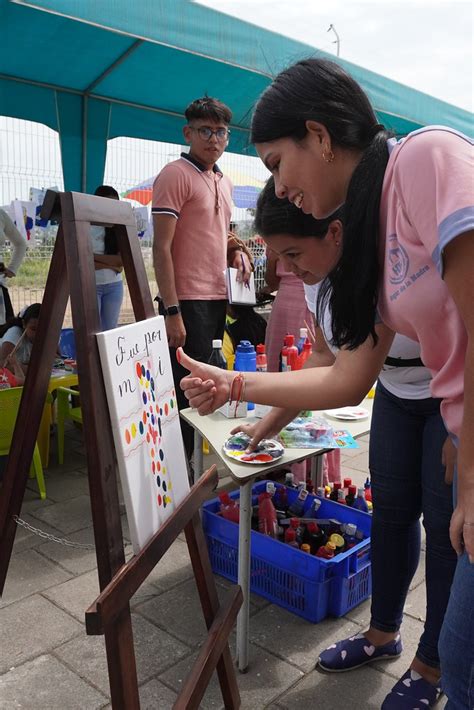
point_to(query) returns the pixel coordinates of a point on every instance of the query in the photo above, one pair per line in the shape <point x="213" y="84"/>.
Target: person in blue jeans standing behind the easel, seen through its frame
<point x="108" y="267"/>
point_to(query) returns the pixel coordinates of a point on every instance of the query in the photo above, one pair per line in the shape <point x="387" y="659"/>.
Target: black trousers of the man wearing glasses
<point x="204" y="322"/>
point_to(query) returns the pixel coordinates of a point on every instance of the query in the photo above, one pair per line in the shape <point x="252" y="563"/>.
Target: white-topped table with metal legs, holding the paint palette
<point x="216" y="429"/>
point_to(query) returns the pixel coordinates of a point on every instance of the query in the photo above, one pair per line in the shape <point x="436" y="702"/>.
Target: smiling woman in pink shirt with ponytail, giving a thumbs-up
<point x="407" y="266"/>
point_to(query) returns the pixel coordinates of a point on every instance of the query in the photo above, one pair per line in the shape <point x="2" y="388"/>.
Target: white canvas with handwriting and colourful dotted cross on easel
<point x="145" y="423"/>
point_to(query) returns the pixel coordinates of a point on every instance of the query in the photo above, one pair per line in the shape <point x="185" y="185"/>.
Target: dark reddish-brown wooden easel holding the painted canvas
<point x="72" y="274"/>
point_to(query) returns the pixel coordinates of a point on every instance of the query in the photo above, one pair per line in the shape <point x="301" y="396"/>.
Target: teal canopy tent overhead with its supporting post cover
<point x="97" y="70"/>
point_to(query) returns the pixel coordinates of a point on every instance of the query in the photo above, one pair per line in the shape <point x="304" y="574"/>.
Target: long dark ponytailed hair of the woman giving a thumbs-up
<point x="322" y="91"/>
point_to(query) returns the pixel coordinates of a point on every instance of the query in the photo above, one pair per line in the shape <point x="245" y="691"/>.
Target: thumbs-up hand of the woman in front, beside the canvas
<point x="206" y="387"/>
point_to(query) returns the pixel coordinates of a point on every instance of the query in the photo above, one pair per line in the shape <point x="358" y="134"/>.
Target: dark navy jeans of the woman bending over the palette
<point x="406" y="439"/>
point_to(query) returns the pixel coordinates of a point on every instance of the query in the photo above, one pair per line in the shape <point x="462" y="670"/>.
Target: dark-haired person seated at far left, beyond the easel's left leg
<point x="18" y="334"/>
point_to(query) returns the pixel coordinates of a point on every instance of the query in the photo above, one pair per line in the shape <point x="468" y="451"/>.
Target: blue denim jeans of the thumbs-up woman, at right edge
<point x="456" y="643"/>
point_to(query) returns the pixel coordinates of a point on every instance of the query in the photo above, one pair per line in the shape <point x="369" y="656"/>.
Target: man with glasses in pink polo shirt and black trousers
<point x="192" y="204"/>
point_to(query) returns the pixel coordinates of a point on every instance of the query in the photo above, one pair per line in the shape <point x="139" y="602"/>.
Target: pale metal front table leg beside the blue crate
<point x="245" y="519"/>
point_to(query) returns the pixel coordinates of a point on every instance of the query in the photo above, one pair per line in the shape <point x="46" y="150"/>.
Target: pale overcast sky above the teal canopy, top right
<point x="425" y="44"/>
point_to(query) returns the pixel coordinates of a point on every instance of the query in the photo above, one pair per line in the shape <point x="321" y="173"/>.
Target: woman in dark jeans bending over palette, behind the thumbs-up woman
<point x="408" y="442"/>
